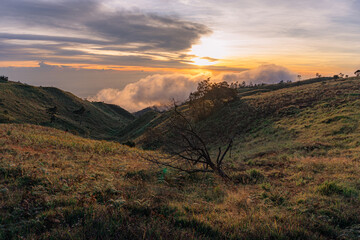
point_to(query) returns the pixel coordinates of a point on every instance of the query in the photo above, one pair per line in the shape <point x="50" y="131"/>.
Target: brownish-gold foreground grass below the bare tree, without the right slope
<point x="54" y="185"/>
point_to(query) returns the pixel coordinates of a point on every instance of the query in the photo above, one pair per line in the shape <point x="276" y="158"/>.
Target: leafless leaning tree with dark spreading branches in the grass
<point x="187" y="148"/>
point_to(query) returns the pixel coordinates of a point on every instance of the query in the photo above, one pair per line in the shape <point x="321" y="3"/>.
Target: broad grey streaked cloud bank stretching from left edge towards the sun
<point x="87" y="32"/>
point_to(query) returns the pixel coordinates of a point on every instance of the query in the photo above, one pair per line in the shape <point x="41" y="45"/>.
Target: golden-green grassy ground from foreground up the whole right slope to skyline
<point x="295" y="164"/>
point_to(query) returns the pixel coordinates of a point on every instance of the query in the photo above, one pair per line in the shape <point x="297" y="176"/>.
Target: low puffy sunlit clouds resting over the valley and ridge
<point x="160" y="89"/>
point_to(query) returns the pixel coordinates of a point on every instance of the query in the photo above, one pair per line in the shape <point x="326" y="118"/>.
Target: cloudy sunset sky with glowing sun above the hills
<point x="138" y="53"/>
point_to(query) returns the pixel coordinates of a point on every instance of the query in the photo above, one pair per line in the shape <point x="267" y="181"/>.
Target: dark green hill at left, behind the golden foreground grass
<point x="21" y="103"/>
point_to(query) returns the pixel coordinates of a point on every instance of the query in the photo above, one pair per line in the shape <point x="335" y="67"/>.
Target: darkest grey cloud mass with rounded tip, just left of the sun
<point x="158" y="32"/>
